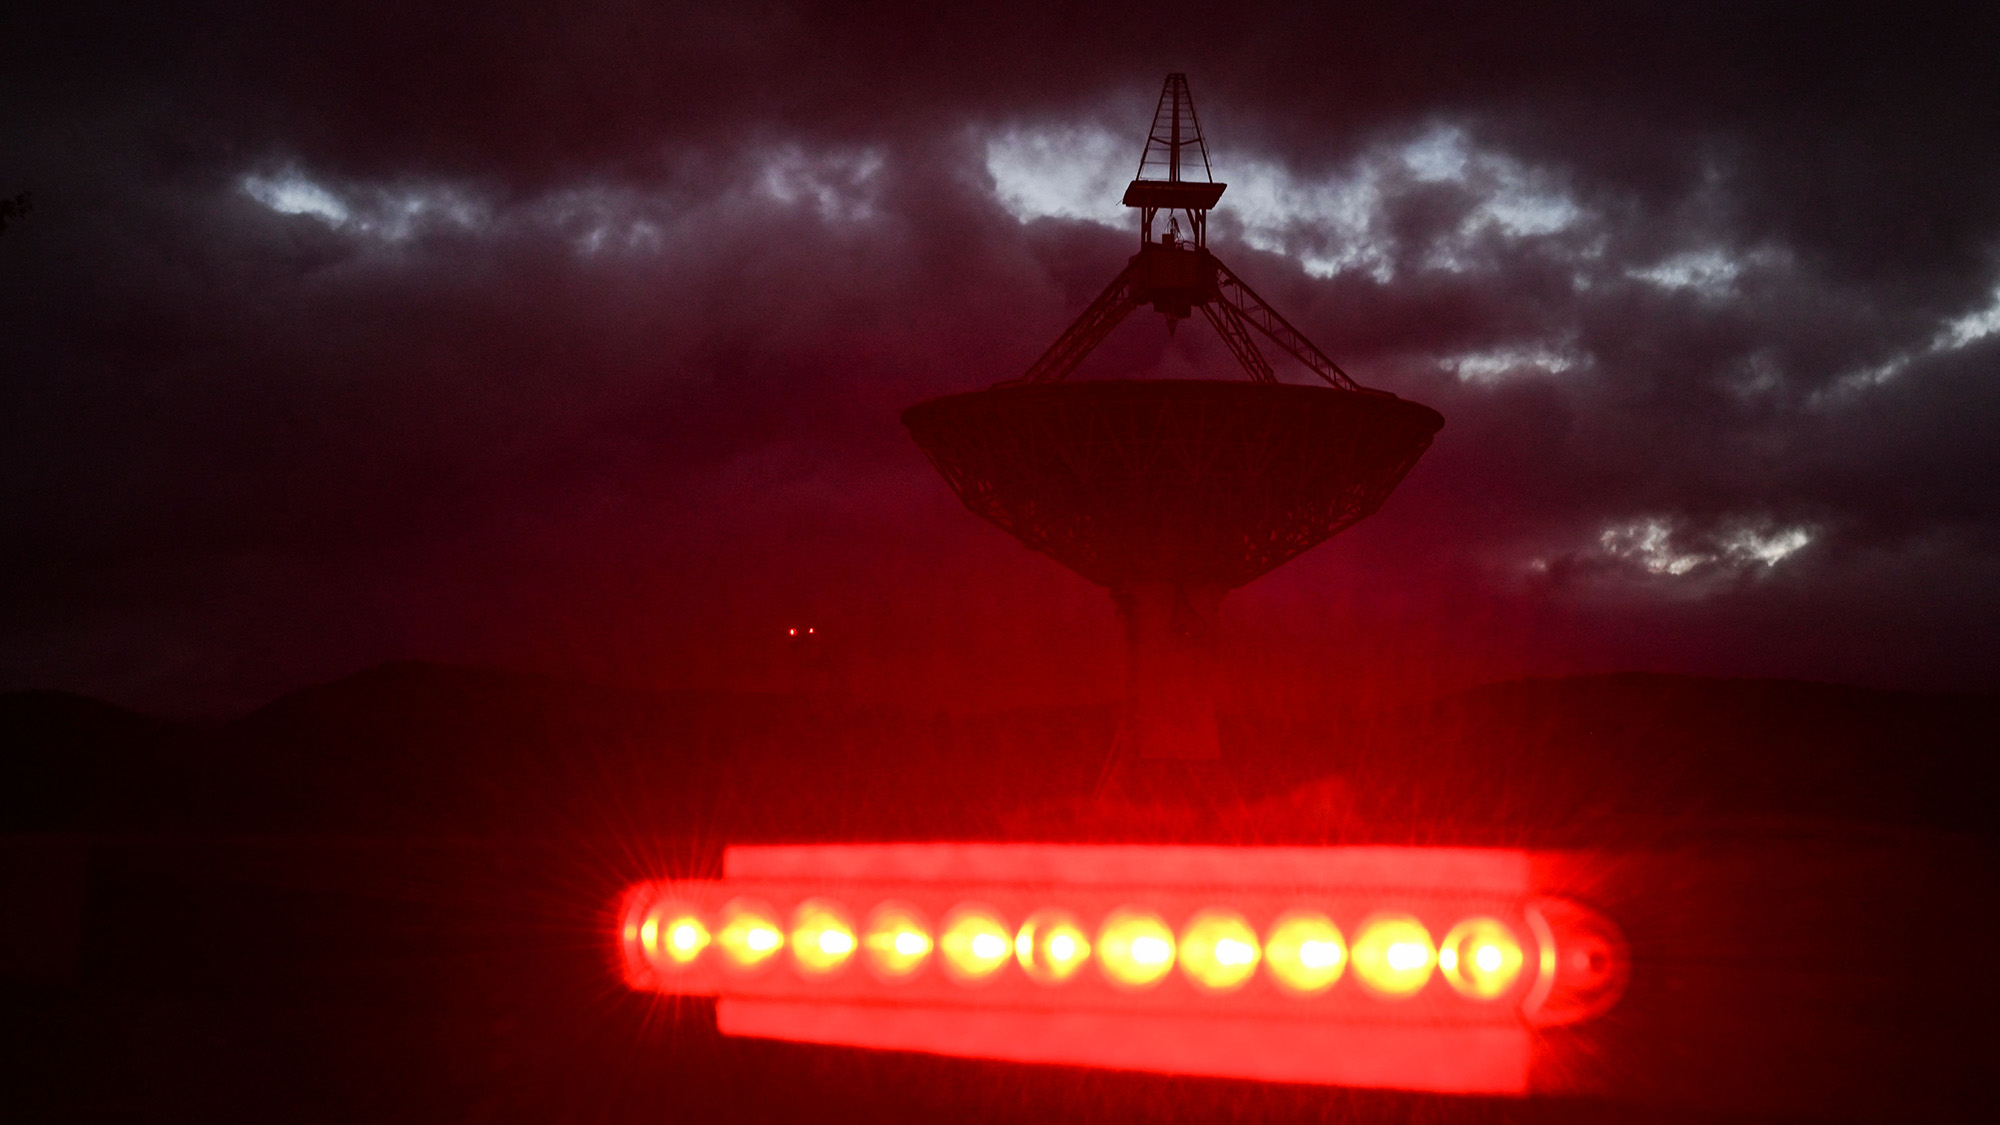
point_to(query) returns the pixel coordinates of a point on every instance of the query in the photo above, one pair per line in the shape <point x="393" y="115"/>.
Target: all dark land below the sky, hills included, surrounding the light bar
<point x="387" y="900"/>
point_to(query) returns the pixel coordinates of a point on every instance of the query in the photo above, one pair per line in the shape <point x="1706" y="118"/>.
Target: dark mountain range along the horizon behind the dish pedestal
<point x="433" y="750"/>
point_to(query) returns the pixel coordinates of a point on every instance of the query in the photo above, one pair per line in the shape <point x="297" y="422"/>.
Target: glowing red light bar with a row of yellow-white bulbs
<point x="1355" y="966"/>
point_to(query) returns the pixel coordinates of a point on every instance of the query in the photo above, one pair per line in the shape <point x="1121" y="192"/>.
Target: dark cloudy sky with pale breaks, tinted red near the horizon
<point x="575" y="337"/>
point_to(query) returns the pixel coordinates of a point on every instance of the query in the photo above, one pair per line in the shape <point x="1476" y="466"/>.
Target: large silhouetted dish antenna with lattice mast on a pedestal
<point x="1175" y="491"/>
